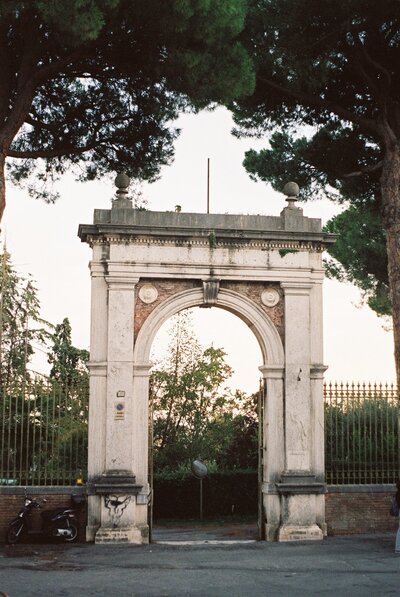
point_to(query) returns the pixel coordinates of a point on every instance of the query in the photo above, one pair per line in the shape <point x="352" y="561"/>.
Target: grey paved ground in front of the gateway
<point x="361" y="565"/>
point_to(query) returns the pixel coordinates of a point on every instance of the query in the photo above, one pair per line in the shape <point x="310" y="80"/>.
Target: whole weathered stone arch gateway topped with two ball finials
<point x="267" y="270"/>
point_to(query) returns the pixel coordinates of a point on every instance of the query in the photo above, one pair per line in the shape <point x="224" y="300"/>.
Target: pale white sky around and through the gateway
<point x="43" y="241"/>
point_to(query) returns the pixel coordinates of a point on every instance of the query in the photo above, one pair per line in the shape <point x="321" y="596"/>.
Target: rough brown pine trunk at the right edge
<point x="390" y="188"/>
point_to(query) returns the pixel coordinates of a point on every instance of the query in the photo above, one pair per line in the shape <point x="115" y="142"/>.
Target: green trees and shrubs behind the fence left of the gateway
<point x="43" y="423"/>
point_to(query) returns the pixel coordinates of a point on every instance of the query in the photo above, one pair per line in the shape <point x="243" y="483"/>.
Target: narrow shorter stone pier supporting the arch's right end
<point x="273" y="448"/>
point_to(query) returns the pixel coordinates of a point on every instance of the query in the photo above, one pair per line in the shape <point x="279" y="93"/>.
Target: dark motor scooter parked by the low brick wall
<point x="60" y="523"/>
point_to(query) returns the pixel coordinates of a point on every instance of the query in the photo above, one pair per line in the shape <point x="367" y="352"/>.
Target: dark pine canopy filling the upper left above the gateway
<point x="98" y="83"/>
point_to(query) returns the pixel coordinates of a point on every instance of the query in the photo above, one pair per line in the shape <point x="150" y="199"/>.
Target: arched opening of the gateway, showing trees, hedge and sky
<point x="200" y="412"/>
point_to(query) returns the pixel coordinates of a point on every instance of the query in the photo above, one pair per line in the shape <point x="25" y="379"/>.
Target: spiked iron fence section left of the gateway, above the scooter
<point x="43" y="432"/>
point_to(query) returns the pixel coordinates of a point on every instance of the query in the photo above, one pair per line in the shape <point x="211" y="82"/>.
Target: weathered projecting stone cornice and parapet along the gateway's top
<point x="213" y="230"/>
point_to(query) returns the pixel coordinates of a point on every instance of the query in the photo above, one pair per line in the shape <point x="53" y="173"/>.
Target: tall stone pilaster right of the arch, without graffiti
<point x="298" y="486"/>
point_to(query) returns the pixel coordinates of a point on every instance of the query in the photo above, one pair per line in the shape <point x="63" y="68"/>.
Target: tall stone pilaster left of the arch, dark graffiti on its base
<point x="116" y="485"/>
